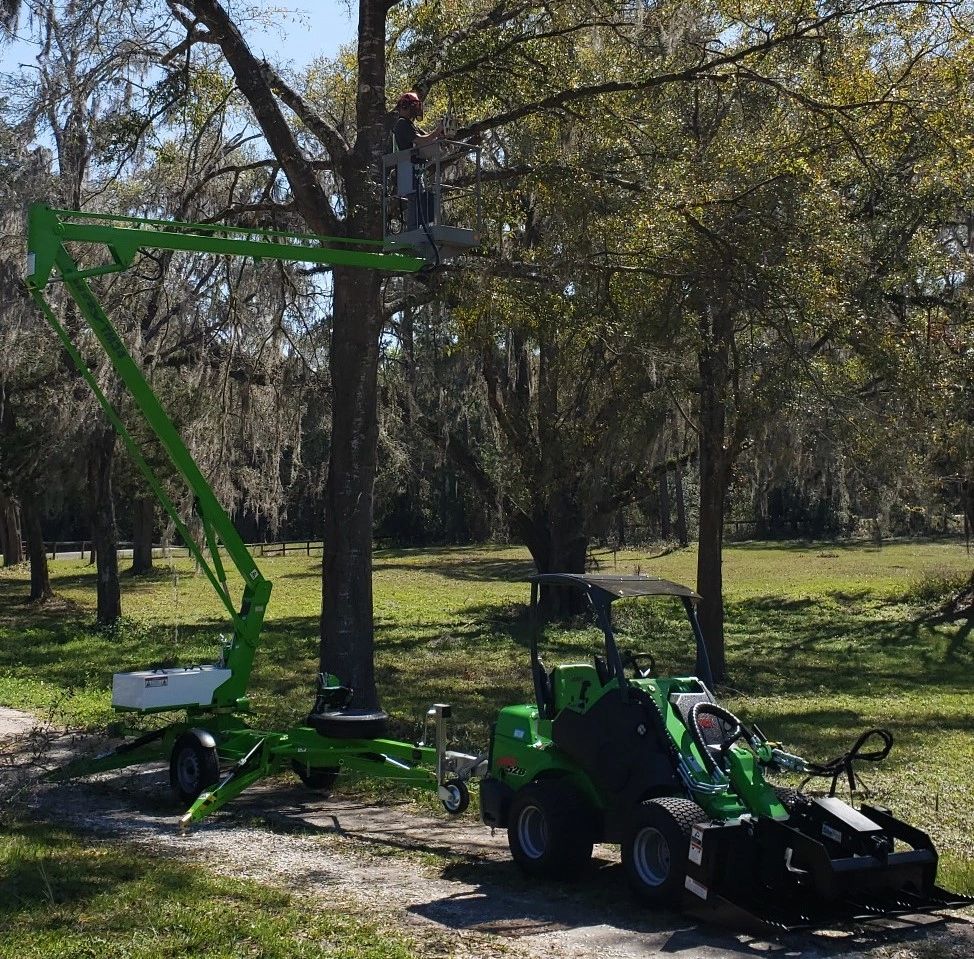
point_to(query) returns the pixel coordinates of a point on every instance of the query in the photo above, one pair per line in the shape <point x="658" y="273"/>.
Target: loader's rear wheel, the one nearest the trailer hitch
<point x="550" y="830"/>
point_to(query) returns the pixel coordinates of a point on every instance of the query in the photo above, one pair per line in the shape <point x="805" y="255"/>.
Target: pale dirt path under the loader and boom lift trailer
<point x="447" y="883"/>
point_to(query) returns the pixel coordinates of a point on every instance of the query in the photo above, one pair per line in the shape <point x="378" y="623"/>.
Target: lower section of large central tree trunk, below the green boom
<point x="347" y="638"/>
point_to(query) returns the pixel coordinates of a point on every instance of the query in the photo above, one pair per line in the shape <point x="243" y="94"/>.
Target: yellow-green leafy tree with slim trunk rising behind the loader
<point x="743" y="143"/>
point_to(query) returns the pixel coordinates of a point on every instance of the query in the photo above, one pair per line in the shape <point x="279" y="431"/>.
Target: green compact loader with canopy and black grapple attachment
<point x="611" y="752"/>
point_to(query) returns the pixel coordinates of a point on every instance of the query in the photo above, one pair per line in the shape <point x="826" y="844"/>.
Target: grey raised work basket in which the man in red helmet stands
<point x="431" y="199"/>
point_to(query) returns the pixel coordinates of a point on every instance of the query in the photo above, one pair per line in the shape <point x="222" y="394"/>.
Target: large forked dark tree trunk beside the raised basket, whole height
<point x="346" y="618"/>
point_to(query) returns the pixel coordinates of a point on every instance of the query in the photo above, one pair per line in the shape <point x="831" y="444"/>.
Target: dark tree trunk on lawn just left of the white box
<point x="104" y="535"/>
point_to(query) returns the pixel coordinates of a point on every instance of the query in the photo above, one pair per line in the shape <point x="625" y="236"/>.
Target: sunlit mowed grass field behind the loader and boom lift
<point x="824" y="640"/>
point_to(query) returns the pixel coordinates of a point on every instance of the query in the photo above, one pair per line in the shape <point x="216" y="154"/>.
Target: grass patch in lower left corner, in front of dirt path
<point x="62" y="896"/>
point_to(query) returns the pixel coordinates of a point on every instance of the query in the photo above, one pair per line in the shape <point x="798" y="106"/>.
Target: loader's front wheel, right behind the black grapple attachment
<point x="655" y="849"/>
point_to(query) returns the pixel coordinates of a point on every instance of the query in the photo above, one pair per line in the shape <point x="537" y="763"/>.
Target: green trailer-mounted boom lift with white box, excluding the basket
<point x="214" y="753"/>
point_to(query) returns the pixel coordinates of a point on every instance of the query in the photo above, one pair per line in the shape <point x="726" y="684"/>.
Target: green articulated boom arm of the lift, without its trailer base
<point x="49" y="260"/>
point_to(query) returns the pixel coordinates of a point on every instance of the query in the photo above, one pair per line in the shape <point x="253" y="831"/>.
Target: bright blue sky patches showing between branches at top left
<point x="315" y="30"/>
